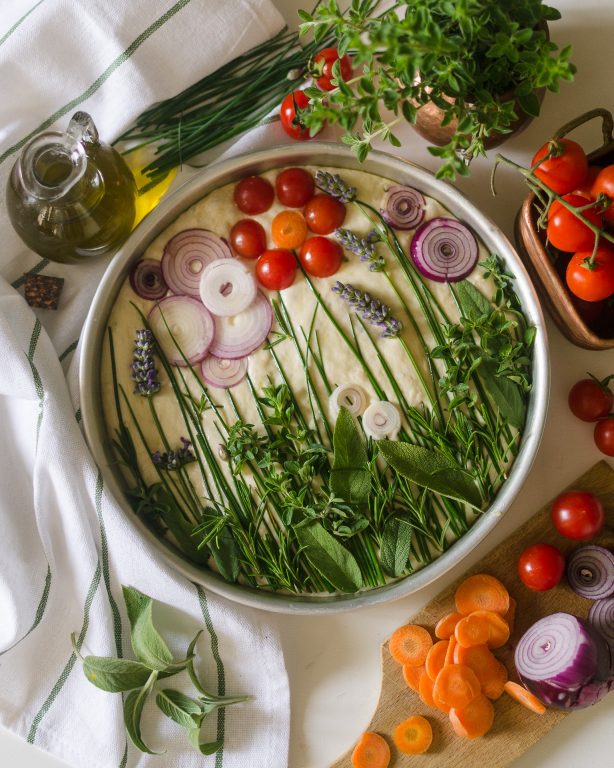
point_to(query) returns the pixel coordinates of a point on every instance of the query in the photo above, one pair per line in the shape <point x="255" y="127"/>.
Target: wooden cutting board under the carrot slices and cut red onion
<point x="515" y="728"/>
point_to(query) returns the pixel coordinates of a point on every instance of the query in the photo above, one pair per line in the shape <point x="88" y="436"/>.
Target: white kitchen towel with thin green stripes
<point x="66" y="547"/>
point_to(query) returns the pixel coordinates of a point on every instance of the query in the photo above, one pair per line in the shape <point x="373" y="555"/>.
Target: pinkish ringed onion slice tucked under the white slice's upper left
<point x="187" y="254"/>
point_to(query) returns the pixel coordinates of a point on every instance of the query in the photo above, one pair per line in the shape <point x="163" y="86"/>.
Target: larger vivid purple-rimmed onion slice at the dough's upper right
<point x="444" y="249"/>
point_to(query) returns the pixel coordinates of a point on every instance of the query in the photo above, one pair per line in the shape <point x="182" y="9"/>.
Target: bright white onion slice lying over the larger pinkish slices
<point x="227" y="287"/>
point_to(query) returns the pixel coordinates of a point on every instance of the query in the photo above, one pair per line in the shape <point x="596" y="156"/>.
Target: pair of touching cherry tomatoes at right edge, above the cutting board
<point x="592" y="400"/>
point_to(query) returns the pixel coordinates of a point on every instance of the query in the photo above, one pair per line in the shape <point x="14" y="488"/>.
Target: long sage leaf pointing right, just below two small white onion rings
<point x="432" y="470"/>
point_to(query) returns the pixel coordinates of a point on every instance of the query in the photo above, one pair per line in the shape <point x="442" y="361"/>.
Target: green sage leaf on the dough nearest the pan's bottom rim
<point x="329" y="557"/>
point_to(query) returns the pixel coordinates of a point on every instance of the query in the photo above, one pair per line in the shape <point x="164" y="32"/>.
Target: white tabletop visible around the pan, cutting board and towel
<point x="333" y="662"/>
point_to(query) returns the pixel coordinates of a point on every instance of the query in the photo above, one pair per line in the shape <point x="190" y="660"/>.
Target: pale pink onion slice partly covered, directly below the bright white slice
<point x="239" y="335"/>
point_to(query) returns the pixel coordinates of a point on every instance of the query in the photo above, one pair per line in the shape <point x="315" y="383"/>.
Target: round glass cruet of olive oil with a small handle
<point x="69" y="195"/>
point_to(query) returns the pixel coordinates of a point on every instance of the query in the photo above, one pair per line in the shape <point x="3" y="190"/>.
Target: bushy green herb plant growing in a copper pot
<point x="478" y="61"/>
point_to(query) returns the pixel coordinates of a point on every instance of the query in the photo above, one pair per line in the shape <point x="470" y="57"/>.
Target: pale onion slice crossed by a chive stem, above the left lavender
<point x="183" y="328"/>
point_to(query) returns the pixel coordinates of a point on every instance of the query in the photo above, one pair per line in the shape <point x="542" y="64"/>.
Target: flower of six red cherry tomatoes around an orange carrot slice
<point x="321" y="215"/>
